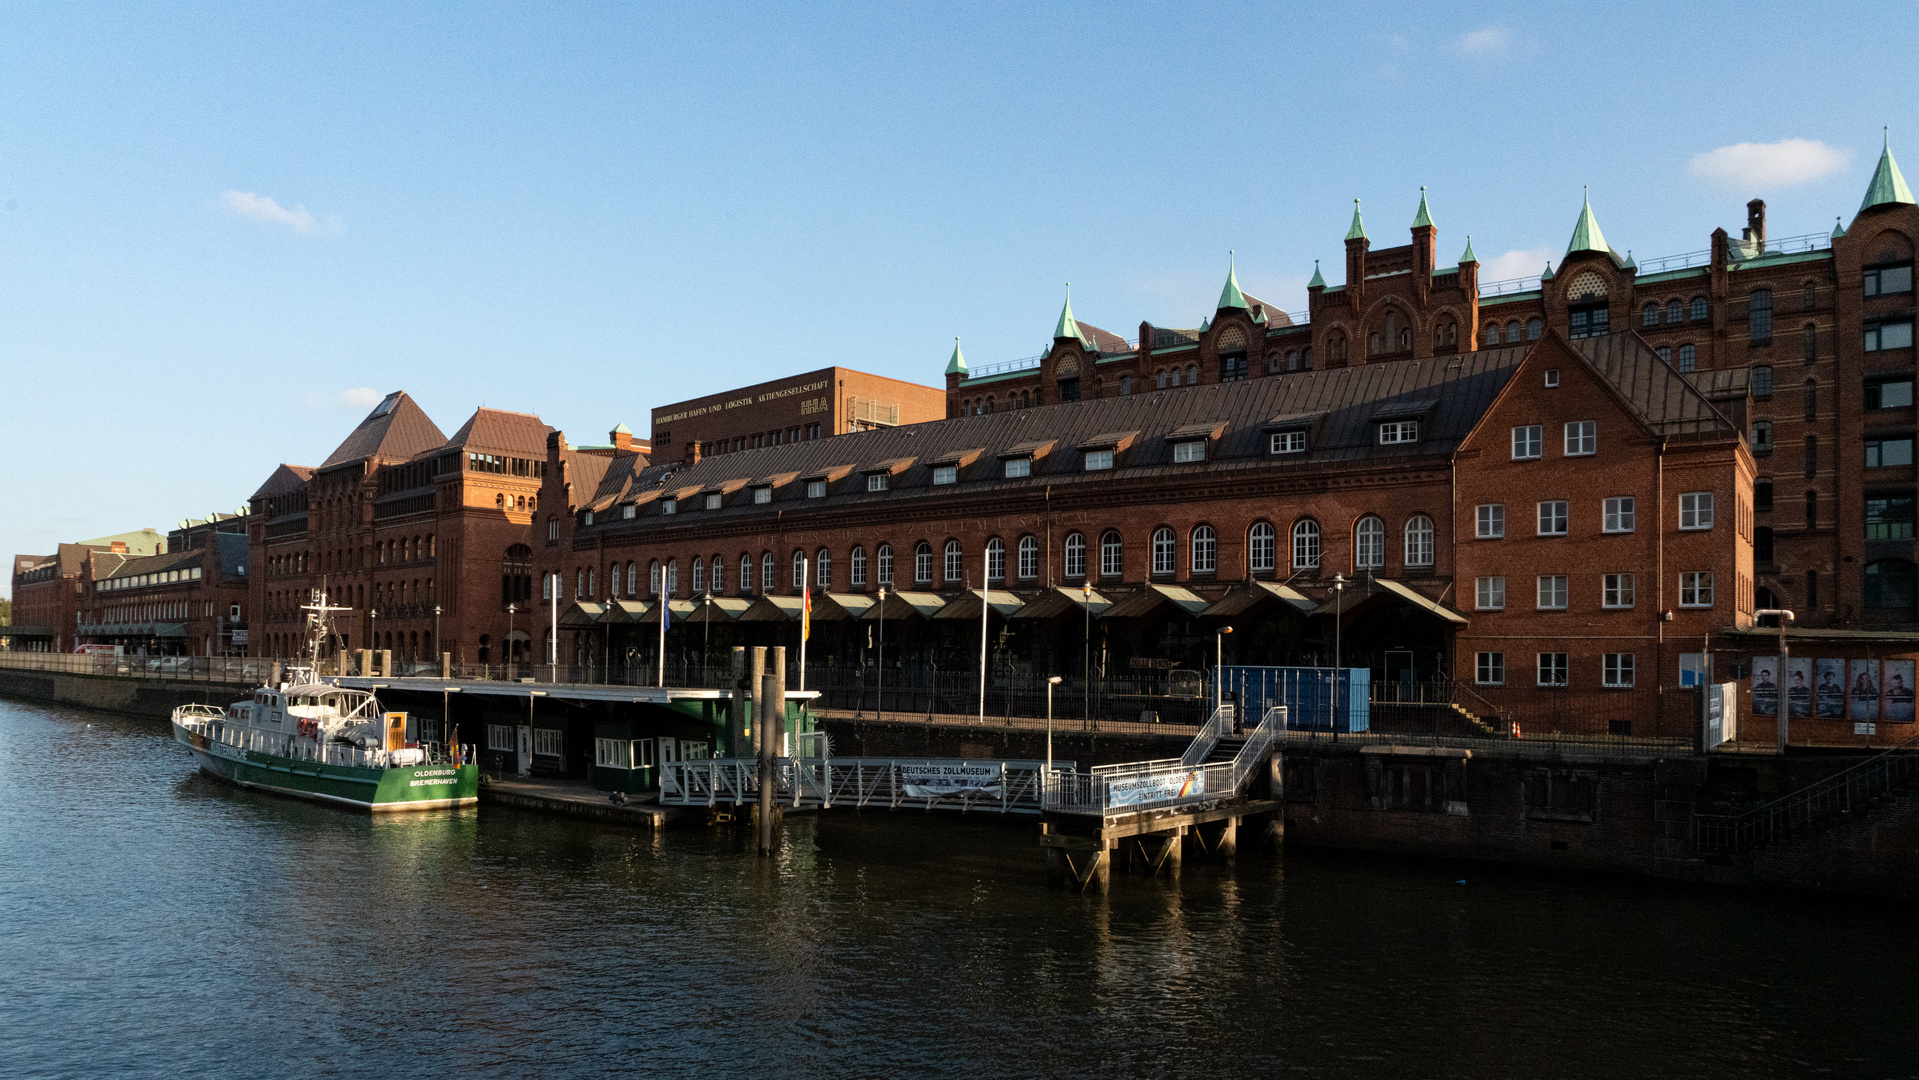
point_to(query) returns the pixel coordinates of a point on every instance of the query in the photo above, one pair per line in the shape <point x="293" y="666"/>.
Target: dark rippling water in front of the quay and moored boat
<point x="160" y="924"/>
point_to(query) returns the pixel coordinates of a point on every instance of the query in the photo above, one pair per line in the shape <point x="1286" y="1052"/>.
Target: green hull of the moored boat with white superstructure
<point x="381" y="791"/>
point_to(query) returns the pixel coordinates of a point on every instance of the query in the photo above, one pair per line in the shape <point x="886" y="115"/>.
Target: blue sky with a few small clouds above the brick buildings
<point x="225" y="231"/>
